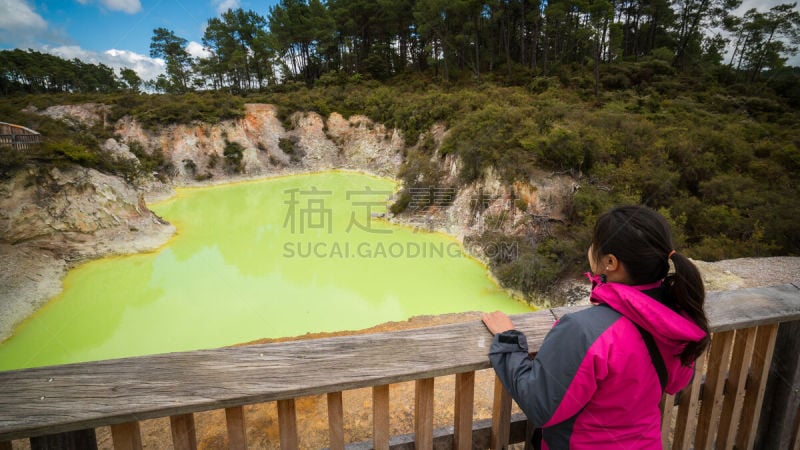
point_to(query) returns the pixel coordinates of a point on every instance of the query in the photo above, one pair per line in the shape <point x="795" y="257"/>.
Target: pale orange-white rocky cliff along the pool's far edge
<point x="197" y="152"/>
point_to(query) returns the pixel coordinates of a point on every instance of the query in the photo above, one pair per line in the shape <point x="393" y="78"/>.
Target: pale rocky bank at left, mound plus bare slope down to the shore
<point x="49" y="219"/>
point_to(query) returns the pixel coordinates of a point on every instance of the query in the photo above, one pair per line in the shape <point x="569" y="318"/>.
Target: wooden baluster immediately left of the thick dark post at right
<point x="762" y="358"/>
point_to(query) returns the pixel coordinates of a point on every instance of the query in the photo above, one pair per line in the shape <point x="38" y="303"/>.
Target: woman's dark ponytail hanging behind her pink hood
<point x="687" y="291"/>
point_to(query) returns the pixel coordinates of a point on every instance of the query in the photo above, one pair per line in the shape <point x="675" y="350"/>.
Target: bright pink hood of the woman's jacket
<point x="663" y="323"/>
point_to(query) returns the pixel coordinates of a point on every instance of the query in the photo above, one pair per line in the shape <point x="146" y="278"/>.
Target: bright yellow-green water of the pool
<point x="274" y="258"/>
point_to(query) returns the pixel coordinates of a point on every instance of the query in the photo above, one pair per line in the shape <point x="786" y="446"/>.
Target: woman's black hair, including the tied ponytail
<point x="641" y="240"/>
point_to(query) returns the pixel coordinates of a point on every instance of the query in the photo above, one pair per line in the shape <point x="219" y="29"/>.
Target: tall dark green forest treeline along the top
<point x="312" y="41"/>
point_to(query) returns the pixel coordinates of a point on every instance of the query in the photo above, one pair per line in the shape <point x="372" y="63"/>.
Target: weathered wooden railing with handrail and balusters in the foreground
<point x="741" y="395"/>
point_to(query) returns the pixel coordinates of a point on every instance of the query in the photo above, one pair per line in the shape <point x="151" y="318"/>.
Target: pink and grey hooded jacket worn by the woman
<point x="593" y="383"/>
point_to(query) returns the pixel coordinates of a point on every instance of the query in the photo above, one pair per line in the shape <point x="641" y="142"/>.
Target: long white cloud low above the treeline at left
<point x="146" y="67"/>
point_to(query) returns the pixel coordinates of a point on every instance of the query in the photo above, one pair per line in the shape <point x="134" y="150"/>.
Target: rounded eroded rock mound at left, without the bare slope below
<point x="60" y="209"/>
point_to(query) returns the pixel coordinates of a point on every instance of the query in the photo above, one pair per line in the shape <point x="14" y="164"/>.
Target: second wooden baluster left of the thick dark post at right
<point x="743" y="346"/>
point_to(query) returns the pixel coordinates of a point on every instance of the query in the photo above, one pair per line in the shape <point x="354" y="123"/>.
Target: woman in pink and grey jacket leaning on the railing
<point x="598" y="377"/>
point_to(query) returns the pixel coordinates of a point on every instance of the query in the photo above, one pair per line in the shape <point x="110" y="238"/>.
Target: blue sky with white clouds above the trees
<point x="117" y="32"/>
